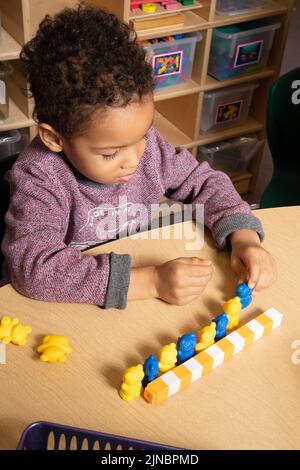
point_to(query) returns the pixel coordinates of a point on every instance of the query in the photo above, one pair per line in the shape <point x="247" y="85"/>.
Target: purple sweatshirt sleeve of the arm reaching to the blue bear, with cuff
<point x="183" y="178"/>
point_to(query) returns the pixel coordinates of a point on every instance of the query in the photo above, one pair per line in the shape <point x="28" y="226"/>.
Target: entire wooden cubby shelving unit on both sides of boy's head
<point x="21" y="17"/>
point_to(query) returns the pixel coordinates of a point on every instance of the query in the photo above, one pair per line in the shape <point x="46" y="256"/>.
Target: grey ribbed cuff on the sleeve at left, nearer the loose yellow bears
<point x="118" y="281"/>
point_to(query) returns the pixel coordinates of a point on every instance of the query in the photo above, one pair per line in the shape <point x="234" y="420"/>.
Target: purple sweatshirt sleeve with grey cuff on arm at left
<point x="38" y="262"/>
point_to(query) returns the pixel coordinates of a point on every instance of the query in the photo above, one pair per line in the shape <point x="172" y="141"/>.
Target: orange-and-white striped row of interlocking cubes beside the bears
<point x="201" y="364"/>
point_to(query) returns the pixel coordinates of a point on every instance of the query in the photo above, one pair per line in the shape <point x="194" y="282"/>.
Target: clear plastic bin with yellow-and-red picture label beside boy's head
<point x="172" y="61"/>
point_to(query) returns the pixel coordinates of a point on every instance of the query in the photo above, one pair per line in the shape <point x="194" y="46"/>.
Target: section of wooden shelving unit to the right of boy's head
<point x="182" y="129"/>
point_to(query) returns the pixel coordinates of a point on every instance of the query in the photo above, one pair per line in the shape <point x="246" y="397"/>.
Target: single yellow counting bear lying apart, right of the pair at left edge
<point x="55" y="348"/>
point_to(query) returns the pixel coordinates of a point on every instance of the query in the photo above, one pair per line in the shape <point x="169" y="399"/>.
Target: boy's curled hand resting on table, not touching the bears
<point x="182" y="280"/>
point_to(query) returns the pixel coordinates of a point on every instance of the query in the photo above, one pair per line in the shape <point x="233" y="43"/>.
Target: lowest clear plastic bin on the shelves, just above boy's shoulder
<point x="231" y="155"/>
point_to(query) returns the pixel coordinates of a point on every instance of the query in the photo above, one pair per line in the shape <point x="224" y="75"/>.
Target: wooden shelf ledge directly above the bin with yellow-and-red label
<point x="192" y="22"/>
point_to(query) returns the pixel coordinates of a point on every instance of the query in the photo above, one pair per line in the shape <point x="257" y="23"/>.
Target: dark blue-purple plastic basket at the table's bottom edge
<point x="50" y="436"/>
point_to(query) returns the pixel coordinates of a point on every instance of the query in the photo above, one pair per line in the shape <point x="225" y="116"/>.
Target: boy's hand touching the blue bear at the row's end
<point x="251" y="262"/>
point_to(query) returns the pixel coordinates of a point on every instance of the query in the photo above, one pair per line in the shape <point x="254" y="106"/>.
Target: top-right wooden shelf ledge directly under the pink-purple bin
<point x="275" y="8"/>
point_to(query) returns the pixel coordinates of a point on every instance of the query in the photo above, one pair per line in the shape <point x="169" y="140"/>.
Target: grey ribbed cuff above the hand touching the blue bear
<point x="232" y="223"/>
